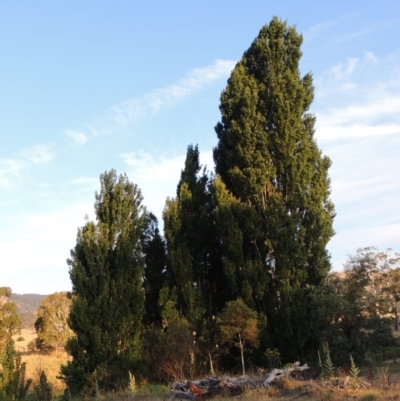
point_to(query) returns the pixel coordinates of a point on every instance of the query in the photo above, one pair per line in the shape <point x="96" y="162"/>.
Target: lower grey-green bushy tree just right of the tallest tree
<point x="350" y="309"/>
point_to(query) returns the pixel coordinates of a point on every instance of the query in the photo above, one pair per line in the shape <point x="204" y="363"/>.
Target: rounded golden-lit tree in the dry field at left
<point x="51" y="325"/>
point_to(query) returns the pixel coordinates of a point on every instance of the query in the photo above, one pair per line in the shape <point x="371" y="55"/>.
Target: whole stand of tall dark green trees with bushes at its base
<point x="241" y="274"/>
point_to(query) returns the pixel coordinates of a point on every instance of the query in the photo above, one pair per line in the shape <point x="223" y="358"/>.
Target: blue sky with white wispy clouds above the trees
<point x="90" y="86"/>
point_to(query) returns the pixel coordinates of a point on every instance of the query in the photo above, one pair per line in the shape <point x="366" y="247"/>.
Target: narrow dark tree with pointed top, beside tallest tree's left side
<point x="194" y="264"/>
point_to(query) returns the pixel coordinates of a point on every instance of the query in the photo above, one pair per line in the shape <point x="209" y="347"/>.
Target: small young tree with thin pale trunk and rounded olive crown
<point x="239" y="326"/>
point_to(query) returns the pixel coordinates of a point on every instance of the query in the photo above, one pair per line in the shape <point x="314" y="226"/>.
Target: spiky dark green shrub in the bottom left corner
<point x="13" y="386"/>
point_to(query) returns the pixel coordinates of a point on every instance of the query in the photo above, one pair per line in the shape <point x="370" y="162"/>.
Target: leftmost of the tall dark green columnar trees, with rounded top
<point x="106" y="270"/>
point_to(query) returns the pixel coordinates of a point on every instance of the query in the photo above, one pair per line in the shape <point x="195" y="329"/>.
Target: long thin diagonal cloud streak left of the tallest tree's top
<point x="130" y="111"/>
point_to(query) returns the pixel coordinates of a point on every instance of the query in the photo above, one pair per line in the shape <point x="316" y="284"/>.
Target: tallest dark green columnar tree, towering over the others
<point x="272" y="199"/>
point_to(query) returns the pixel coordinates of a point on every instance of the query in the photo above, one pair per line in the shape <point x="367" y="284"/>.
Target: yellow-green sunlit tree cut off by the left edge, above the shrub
<point x="10" y="322"/>
